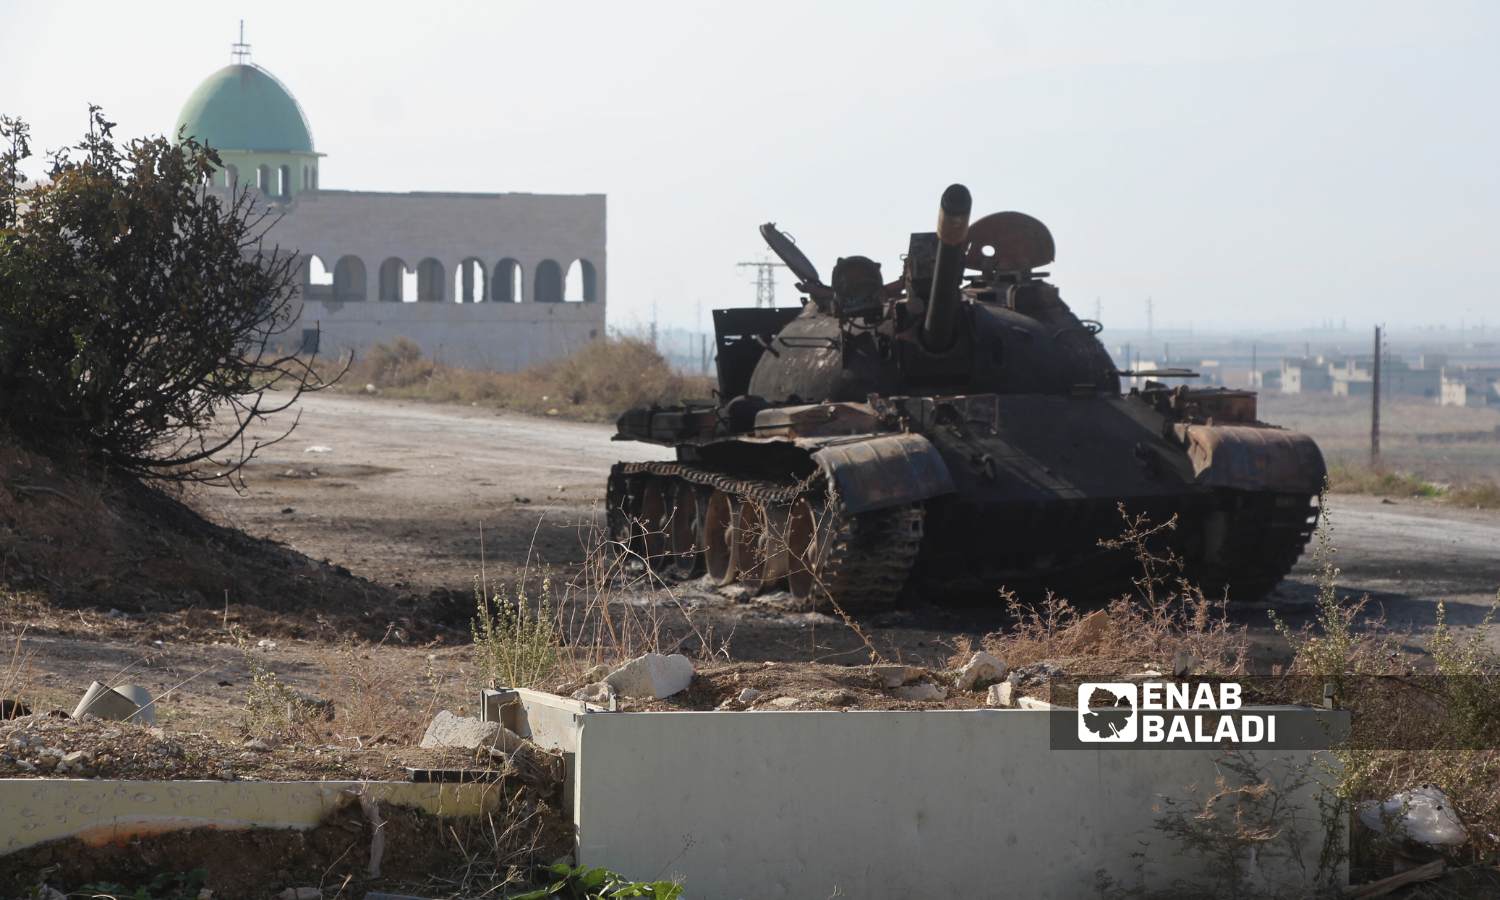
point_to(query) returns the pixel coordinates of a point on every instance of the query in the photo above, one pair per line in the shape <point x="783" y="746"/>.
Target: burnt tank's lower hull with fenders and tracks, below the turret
<point x="989" y="493"/>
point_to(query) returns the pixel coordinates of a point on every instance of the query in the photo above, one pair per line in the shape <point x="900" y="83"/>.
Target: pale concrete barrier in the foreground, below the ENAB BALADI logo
<point x="946" y="803"/>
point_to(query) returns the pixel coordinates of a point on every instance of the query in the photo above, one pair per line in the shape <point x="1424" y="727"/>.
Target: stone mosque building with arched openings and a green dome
<point x="493" y="281"/>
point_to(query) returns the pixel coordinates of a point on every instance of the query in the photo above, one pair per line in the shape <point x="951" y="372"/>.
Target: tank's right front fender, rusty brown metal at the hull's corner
<point x="1255" y="458"/>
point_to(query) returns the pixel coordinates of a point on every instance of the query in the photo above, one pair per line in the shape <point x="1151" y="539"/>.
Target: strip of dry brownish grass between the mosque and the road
<point x="598" y="383"/>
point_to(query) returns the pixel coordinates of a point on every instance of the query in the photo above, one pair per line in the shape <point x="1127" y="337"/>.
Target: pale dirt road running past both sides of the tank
<point x="422" y="496"/>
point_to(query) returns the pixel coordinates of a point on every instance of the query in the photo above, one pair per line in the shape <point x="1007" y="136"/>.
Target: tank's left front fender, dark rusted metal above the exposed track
<point x="884" y="472"/>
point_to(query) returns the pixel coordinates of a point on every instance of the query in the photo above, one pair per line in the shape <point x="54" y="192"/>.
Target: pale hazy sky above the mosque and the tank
<point x="1244" y="164"/>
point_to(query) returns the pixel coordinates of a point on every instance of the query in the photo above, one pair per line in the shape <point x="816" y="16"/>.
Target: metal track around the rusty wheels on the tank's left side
<point x="869" y="557"/>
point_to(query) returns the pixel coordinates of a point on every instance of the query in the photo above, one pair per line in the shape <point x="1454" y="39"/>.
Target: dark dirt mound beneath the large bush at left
<point x="77" y="538"/>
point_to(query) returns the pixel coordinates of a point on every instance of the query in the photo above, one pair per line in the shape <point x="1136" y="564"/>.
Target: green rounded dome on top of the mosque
<point x="242" y="107"/>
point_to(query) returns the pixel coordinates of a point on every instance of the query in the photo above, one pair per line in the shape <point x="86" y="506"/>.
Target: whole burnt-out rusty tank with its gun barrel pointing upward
<point x="961" y="430"/>
